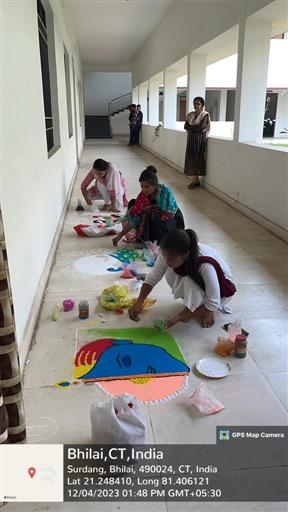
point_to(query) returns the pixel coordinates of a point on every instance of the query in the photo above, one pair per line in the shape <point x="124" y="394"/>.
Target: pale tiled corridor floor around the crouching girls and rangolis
<point x="255" y="393"/>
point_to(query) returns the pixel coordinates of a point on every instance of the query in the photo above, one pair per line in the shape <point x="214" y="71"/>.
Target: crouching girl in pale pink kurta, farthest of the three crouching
<point x="109" y="184"/>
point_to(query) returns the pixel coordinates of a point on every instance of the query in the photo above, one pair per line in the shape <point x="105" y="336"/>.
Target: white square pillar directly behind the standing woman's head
<point x="196" y="79"/>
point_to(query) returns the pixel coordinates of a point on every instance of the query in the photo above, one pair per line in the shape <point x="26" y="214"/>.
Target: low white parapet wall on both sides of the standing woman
<point x="249" y="176"/>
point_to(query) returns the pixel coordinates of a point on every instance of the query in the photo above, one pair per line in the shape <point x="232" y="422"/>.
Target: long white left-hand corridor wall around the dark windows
<point x="34" y="187"/>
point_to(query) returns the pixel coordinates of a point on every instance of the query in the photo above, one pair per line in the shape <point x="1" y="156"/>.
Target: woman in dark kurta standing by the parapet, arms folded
<point x="197" y="126"/>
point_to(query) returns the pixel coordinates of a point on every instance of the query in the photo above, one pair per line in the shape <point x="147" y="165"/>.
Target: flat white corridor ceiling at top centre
<point x="110" y="33"/>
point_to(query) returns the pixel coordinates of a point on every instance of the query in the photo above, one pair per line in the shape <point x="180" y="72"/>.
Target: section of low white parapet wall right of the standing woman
<point x="254" y="176"/>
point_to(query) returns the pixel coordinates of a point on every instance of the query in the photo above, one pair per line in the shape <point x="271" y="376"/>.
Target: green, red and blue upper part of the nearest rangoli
<point x="114" y="354"/>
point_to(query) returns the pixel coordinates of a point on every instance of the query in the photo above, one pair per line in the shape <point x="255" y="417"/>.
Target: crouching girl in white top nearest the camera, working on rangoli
<point x="195" y="272"/>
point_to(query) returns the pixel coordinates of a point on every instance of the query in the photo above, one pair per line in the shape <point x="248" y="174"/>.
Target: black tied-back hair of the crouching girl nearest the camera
<point x="178" y="242"/>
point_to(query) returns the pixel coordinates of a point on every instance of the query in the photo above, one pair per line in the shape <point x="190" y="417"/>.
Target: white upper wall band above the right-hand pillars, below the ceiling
<point x="186" y="27"/>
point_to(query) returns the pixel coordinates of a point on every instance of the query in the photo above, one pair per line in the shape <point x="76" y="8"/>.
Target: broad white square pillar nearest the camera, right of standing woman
<point x="252" y="71"/>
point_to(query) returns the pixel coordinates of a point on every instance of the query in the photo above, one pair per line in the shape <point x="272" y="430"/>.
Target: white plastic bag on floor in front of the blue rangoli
<point x="119" y="421"/>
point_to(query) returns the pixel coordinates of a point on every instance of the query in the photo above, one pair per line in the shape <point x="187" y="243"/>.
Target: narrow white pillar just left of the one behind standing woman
<point x="170" y="98"/>
